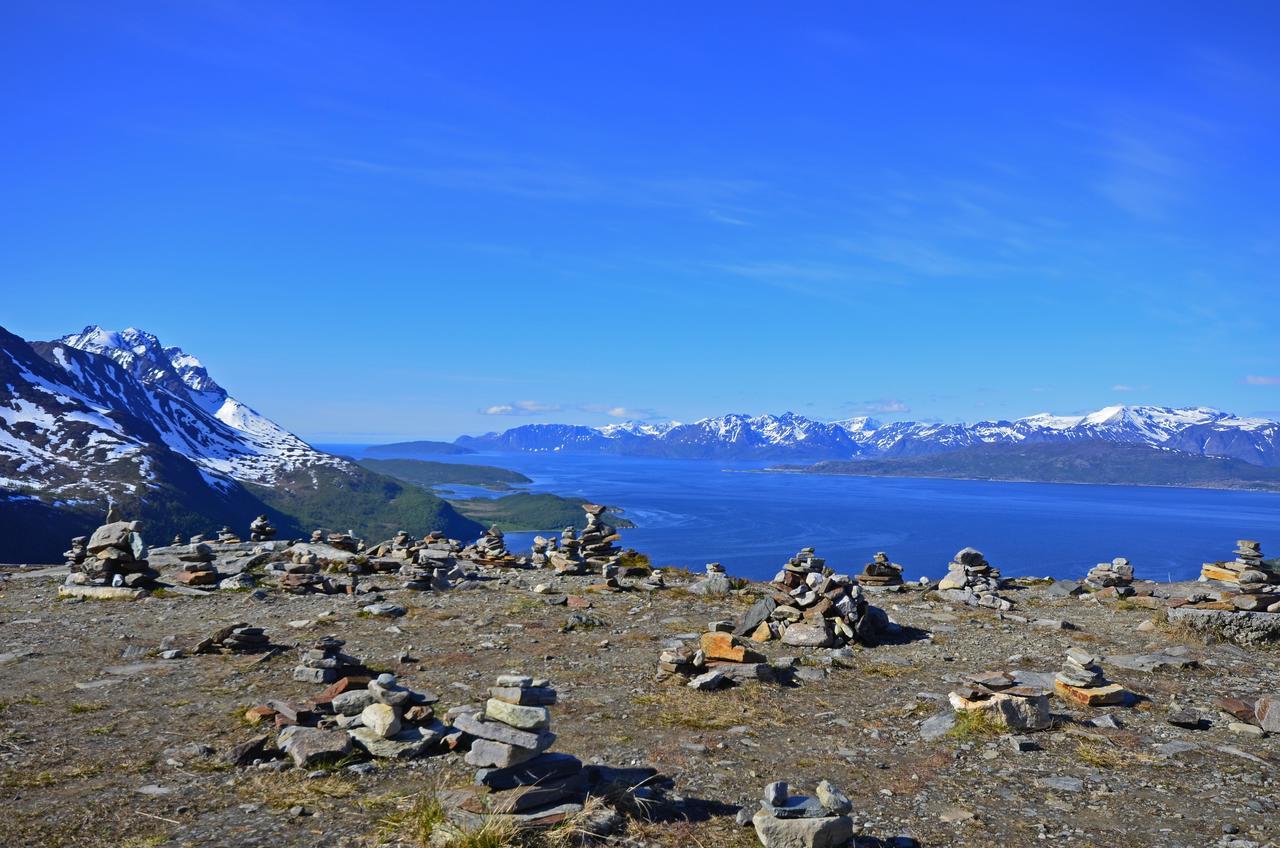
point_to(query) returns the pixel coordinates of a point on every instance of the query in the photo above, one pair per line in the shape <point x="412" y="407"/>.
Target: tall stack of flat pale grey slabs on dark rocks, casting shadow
<point x="518" y="778"/>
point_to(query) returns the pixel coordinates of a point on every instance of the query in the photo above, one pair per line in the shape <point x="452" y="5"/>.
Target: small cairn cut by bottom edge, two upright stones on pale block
<point x="821" y="820"/>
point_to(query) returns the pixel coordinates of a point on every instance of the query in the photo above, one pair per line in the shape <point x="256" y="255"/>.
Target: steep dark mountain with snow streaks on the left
<point x="104" y="416"/>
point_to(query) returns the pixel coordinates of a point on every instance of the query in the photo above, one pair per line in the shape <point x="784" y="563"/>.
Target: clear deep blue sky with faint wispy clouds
<point x="391" y="221"/>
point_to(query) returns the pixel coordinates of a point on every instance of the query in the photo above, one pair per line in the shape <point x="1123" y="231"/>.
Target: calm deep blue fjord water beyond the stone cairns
<point x="692" y="512"/>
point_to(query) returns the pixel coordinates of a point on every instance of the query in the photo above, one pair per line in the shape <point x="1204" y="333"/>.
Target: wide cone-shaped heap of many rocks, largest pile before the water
<point x="812" y="607"/>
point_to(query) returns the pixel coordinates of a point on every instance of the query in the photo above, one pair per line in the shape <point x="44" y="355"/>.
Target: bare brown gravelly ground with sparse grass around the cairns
<point x="104" y="742"/>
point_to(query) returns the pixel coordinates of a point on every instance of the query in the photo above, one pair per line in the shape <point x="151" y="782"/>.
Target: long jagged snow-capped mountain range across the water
<point x="1199" y="431"/>
